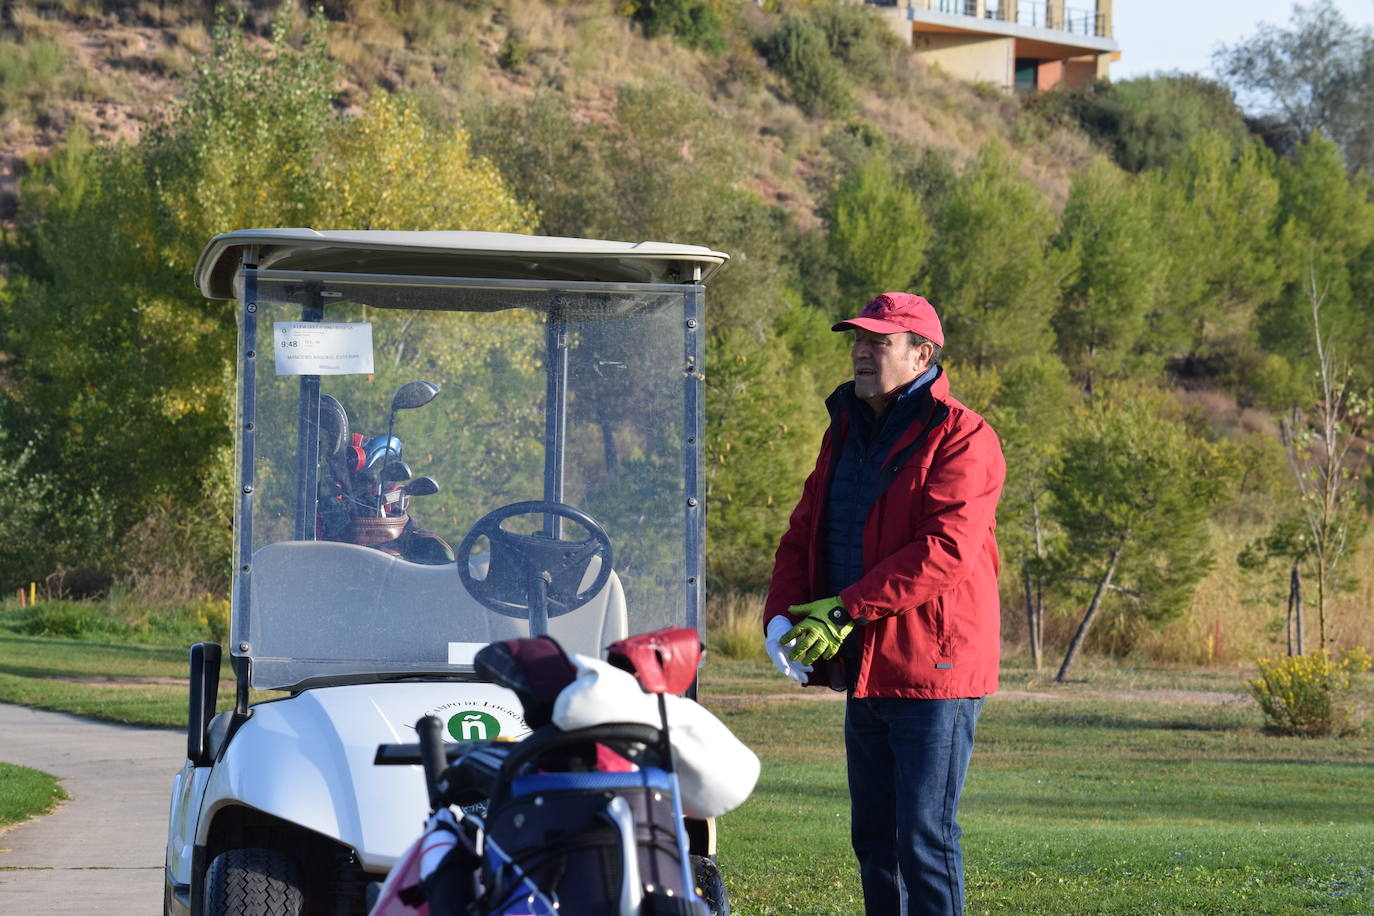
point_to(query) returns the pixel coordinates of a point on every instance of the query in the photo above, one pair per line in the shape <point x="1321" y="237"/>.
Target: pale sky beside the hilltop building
<point x="1181" y="35"/>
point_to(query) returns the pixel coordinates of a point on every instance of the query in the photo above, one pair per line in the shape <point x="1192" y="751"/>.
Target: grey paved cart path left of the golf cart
<point x="102" y="851"/>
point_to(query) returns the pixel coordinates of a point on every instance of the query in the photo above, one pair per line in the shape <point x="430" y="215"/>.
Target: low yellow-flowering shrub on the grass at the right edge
<point x="1311" y="696"/>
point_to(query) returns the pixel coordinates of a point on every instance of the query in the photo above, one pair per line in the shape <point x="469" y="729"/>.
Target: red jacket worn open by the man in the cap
<point x="930" y="593"/>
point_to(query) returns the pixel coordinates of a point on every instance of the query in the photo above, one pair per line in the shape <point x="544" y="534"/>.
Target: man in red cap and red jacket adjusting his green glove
<point x="886" y="586"/>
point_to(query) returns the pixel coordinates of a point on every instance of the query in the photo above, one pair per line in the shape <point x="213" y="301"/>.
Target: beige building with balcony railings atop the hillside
<point x="1013" y="45"/>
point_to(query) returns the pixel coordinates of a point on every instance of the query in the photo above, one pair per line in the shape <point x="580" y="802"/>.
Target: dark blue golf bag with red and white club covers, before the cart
<point x="578" y="822"/>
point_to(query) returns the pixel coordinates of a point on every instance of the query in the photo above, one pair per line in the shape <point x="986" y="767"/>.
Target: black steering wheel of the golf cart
<point x="521" y="566"/>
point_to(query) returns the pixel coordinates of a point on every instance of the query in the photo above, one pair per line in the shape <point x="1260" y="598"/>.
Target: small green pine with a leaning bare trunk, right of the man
<point x="1133" y="494"/>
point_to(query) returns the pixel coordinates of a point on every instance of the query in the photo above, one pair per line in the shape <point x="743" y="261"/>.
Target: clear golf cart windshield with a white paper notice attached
<point x="428" y="465"/>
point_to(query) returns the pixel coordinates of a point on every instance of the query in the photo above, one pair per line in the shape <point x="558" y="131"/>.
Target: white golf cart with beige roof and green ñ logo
<point x="443" y="440"/>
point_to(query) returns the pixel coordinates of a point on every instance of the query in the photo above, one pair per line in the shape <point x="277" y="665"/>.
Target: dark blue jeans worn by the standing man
<point x="908" y="762"/>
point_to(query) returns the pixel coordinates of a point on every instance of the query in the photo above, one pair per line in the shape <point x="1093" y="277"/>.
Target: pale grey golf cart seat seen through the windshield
<point x="420" y="616"/>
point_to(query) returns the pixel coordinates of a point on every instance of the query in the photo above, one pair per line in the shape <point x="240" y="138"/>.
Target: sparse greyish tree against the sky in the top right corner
<point x="1318" y="75"/>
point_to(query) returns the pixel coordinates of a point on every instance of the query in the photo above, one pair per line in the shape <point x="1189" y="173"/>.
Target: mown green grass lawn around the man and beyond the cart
<point x="1129" y="792"/>
